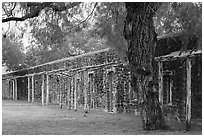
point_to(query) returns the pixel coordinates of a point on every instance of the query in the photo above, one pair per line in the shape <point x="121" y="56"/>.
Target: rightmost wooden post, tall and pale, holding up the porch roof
<point x="188" y="94"/>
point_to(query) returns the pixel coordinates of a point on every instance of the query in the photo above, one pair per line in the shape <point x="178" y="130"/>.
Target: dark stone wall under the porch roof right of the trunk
<point x="178" y="78"/>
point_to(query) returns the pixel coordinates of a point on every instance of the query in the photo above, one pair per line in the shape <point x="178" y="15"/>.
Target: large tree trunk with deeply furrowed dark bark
<point x="141" y="37"/>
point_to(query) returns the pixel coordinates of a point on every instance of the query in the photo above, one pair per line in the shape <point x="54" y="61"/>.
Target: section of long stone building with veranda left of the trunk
<point x="97" y="79"/>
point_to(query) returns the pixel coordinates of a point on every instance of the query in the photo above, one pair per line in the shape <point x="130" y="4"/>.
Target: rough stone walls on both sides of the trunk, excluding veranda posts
<point x="123" y="98"/>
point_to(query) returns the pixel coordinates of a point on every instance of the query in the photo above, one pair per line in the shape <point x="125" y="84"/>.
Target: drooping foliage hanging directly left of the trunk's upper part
<point x="109" y="25"/>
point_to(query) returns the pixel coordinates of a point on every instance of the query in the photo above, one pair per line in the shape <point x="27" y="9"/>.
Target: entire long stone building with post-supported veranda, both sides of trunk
<point x="101" y="80"/>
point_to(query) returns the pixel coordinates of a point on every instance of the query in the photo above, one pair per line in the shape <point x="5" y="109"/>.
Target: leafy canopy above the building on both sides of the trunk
<point x="58" y="30"/>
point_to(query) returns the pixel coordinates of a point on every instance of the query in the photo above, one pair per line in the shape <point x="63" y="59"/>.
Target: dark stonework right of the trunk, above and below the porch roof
<point x="166" y="46"/>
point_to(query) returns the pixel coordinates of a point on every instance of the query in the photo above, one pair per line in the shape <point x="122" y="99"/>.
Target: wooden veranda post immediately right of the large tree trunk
<point x="160" y="63"/>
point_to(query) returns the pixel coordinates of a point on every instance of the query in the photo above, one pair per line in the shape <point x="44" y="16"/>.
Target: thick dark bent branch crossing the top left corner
<point x="39" y="8"/>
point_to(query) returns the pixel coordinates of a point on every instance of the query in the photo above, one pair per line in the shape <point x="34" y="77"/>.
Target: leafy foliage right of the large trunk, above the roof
<point x="180" y="16"/>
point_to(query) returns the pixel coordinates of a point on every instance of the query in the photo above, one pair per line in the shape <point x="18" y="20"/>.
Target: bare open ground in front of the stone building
<point x="22" y="118"/>
